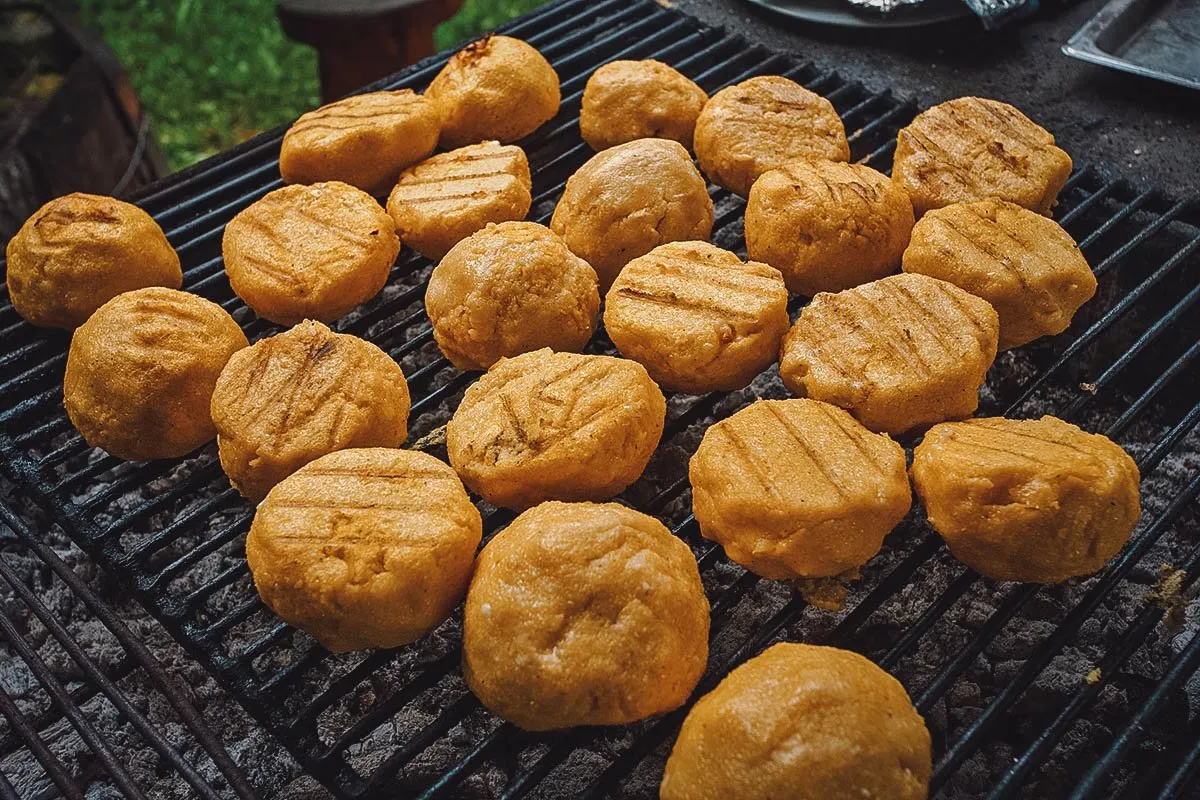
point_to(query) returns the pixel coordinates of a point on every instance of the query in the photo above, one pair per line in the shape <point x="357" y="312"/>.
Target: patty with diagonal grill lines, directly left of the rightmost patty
<point x="797" y="489"/>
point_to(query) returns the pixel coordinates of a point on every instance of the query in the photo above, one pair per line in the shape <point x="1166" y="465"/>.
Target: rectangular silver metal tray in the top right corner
<point x="1157" y="39"/>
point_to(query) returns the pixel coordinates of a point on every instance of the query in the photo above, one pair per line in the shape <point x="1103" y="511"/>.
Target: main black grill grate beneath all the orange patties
<point x="403" y="724"/>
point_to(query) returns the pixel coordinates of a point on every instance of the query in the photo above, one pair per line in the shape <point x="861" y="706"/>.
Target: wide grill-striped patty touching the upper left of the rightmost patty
<point x="901" y="353"/>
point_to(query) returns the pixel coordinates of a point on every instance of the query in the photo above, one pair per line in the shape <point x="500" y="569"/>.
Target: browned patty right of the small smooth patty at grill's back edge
<point x="763" y="124"/>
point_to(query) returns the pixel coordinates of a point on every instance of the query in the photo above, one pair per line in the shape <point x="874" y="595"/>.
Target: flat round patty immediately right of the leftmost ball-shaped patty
<point x="310" y="252"/>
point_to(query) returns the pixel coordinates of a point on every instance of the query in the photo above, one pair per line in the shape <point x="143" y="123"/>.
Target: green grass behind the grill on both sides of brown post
<point x="212" y="77"/>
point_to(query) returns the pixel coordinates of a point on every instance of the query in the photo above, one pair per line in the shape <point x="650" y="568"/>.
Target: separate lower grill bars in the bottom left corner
<point x="83" y="690"/>
